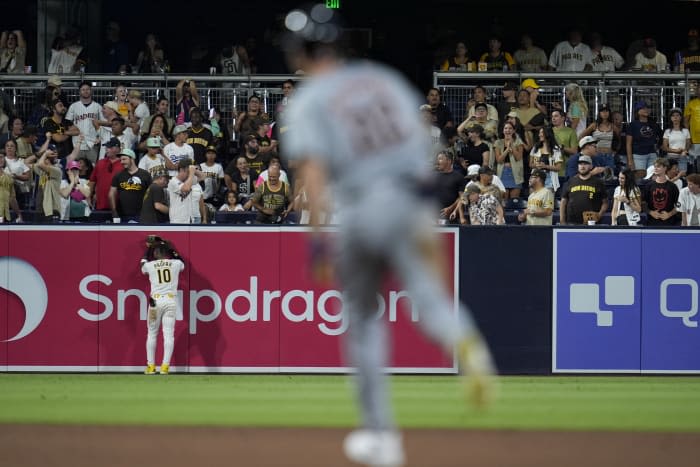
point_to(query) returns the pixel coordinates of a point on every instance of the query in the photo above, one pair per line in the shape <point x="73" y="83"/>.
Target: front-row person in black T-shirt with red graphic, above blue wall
<point x="661" y="196"/>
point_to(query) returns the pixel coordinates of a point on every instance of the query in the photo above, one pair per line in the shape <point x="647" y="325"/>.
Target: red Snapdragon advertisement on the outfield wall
<point x="74" y="299"/>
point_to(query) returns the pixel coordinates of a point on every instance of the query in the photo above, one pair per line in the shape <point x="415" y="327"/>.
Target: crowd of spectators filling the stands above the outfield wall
<point x="513" y="159"/>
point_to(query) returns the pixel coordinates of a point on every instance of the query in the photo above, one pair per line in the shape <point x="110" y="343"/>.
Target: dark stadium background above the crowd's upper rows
<point x="403" y="34"/>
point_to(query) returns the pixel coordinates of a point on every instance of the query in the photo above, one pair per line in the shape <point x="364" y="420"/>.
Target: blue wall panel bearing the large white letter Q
<point x="670" y="332"/>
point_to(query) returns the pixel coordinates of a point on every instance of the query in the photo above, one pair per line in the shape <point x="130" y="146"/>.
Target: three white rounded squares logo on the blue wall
<point x="585" y="298"/>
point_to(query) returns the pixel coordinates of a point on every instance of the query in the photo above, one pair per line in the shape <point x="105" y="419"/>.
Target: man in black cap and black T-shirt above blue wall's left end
<point x="584" y="198"/>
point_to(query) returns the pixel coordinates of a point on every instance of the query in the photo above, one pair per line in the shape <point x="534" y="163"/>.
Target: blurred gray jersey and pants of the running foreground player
<point x="362" y="121"/>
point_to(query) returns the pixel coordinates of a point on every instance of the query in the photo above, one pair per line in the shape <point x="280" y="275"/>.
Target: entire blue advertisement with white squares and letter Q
<point x="626" y="301"/>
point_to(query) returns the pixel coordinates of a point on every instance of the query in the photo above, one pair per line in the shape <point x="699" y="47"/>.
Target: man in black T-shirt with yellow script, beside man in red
<point x="128" y="189"/>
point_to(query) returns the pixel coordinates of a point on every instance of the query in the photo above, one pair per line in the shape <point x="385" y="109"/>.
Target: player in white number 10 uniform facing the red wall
<point x="163" y="265"/>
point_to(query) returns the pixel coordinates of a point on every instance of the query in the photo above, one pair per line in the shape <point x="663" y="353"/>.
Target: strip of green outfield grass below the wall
<point x="655" y="403"/>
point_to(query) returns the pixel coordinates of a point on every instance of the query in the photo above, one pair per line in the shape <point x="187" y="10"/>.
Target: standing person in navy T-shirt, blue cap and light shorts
<point x="643" y="136"/>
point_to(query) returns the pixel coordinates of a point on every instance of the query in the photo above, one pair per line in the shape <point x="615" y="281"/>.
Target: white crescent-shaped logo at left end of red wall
<point x="30" y="287"/>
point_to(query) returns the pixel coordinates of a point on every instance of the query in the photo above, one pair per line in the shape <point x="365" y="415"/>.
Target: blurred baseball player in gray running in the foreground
<point x="356" y="128"/>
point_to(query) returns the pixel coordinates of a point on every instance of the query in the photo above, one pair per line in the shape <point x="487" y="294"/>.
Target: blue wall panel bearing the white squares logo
<point x="596" y="301"/>
